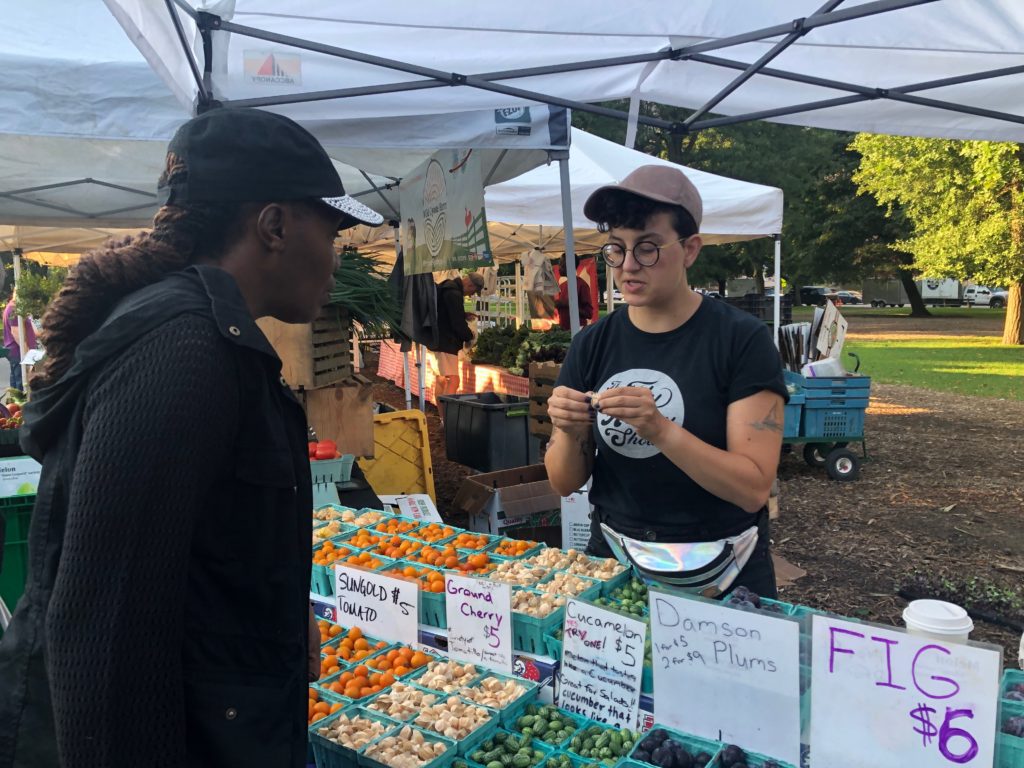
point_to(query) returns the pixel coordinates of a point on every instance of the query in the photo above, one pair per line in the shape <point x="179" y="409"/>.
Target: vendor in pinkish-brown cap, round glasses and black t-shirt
<point x="674" y="406"/>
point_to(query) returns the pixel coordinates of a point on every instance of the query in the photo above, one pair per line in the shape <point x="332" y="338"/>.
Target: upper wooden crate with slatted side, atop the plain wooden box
<point x="315" y="355"/>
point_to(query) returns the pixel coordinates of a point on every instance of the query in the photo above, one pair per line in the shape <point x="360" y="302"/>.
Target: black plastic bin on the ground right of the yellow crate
<point x="489" y="432"/>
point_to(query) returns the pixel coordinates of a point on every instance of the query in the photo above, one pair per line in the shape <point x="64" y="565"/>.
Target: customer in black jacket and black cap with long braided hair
<point x="166" y="617"/>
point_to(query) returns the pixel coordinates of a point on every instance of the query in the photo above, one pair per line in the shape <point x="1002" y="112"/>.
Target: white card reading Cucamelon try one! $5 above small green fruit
<point x="603" y="665"/>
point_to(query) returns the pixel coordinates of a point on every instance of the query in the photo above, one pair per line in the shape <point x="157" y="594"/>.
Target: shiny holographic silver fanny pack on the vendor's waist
<point x="708" y="569"/>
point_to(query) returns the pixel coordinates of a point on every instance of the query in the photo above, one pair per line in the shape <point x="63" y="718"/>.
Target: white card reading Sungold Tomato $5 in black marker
<point x="382" y="607"/>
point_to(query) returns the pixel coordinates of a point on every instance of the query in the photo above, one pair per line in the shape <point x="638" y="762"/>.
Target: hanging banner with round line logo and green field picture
<point x="444" y="224"/>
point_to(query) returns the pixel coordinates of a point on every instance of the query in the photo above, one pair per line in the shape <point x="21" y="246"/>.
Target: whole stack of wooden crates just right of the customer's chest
<point x="317" y="363"/>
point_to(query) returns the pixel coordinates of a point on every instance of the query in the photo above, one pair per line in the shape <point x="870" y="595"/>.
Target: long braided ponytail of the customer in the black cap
<point x="181" y="237"/>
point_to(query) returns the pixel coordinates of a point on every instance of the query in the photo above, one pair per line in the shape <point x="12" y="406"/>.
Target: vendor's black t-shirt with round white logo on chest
<point x="718" y="357"/>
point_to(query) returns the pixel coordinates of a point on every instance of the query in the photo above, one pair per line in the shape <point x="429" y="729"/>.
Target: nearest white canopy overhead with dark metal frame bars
<point x="931" y="68"/>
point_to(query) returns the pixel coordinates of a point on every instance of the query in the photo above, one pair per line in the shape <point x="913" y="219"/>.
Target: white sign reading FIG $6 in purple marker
<point x="886" y="699"/>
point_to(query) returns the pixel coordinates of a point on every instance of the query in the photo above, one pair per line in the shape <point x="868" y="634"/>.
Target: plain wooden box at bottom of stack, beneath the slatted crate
<point x="344" y="413"/>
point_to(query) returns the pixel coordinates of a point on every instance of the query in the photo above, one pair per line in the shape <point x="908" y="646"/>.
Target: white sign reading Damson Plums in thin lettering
<point x="737" y="674"/>
